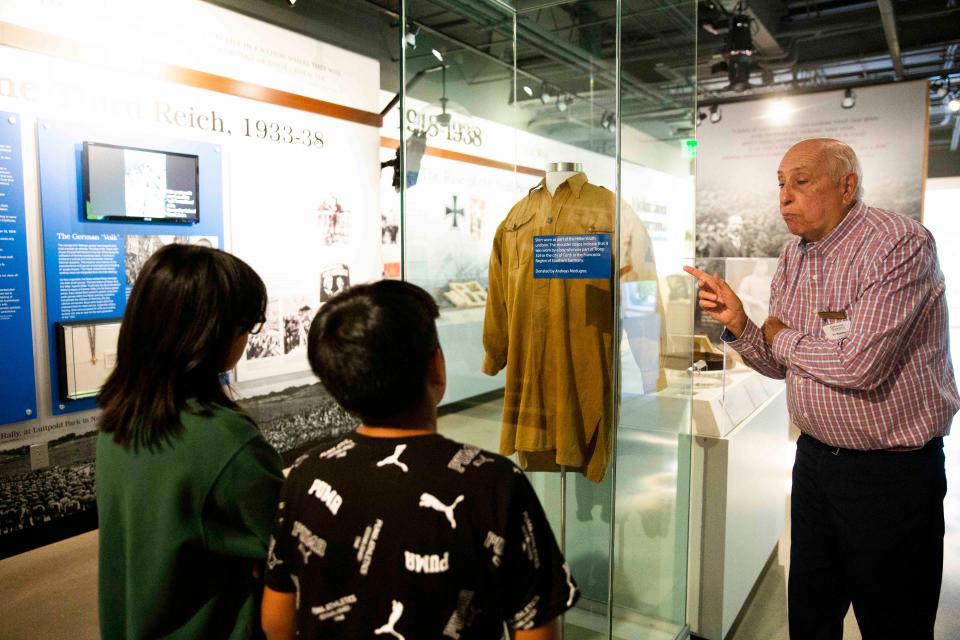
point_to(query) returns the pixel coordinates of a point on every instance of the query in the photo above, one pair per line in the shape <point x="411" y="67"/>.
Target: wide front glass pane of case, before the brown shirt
<point x="502" y="90"/>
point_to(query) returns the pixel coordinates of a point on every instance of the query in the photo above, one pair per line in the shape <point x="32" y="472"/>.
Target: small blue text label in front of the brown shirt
<point x="576" y="257"/>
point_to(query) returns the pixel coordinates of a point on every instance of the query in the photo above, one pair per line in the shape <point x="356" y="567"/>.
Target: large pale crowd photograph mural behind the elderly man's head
<point x="737" y="198"/>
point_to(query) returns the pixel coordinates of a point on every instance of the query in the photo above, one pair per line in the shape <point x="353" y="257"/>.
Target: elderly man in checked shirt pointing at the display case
<point x="858" y="327"/>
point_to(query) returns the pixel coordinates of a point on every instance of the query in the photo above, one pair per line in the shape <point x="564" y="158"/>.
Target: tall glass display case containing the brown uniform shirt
<point x="549" y="211"/>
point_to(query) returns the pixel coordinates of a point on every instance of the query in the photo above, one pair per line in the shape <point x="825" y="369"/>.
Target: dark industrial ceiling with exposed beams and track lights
<point x="674" y="55"/>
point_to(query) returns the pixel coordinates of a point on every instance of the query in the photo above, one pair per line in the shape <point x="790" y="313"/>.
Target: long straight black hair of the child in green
<point x="187" y="309"/>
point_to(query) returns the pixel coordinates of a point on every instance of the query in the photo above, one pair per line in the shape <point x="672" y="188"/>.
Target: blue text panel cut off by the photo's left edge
<point x="18" y="398"/>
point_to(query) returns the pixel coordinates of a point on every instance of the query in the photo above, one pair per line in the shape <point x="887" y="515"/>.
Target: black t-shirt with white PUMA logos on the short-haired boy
<point x="414" y="537"/>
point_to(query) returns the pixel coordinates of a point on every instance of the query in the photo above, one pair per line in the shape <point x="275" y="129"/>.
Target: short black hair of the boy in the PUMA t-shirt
<point x="371" y="345"/>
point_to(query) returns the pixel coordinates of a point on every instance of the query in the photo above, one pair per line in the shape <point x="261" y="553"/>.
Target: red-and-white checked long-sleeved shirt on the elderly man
<point x="889" y="384"/>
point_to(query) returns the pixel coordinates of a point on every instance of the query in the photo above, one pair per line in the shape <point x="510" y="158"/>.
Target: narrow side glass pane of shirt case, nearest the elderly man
<point x="657" y="103"/>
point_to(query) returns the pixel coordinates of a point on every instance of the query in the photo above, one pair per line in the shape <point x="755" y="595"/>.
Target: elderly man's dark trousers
<point x="867" y="529"/>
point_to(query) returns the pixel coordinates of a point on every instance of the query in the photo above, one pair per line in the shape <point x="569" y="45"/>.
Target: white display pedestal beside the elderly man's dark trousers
<point x="737" y="501"/>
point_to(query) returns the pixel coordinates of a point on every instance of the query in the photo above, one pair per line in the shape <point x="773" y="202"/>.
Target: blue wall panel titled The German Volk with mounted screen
<point x="90" y="266"/>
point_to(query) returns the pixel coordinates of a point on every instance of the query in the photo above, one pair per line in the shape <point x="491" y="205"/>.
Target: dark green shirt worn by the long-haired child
<point x="181" y="527"/>
